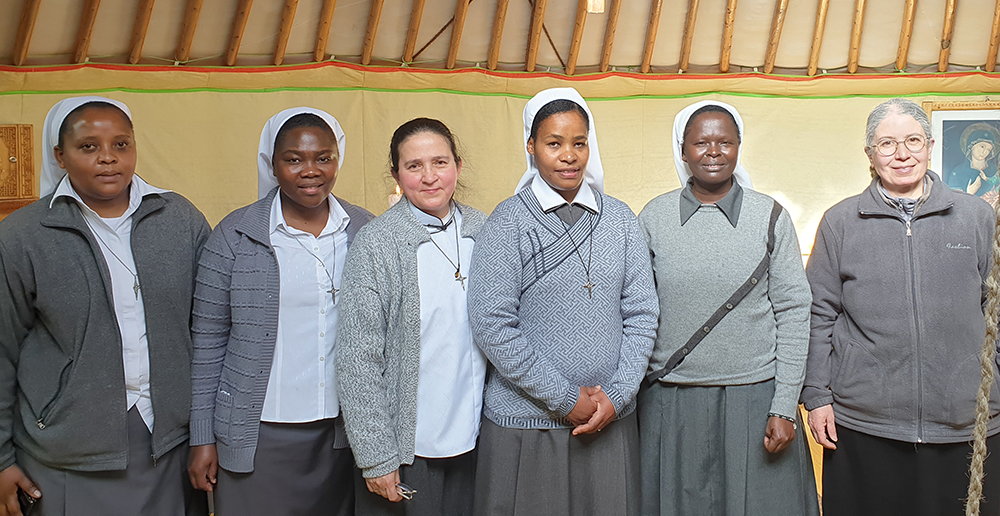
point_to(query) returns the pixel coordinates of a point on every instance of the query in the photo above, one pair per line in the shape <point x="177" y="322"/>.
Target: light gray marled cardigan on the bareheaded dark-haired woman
<point x="378" y="339"/>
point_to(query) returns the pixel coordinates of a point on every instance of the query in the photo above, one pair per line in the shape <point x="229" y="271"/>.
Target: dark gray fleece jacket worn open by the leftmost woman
<point x="62" y="393"/>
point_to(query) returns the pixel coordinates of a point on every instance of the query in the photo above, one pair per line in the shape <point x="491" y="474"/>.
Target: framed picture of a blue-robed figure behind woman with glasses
<point x="967" y="146"/>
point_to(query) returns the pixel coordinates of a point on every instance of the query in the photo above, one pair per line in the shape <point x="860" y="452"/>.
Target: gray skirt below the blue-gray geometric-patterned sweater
<point x="553" y="473"/>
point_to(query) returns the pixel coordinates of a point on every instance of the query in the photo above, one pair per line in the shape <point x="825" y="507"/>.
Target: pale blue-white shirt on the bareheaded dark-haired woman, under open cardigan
<point x="452" y="368"/>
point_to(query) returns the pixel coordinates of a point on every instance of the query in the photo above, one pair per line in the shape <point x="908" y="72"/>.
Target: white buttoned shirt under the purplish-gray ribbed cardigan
<point x="302" y="386"/>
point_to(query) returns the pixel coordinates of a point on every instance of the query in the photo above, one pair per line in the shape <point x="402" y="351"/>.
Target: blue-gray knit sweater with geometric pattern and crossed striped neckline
<point x="536" y="323"/>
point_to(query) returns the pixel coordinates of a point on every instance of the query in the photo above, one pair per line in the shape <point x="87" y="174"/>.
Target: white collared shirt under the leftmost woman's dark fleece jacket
<point x="114" y="237"/>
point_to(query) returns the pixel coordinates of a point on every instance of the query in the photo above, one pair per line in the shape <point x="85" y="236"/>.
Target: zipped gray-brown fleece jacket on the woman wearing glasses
<point x="897" y="317"/>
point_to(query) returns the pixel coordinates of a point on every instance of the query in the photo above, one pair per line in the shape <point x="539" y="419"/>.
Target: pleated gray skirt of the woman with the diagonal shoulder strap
<point x="703" y="454"/>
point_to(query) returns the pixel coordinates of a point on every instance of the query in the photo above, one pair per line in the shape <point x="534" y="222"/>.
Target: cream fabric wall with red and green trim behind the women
<point x="805" y="152"/>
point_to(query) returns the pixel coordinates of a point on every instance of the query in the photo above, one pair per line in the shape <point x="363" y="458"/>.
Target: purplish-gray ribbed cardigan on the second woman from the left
<point x="235" y="326"/>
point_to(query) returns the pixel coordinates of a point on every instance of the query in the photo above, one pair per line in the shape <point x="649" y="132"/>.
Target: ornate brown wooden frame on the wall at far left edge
<point x="17" y="174"/>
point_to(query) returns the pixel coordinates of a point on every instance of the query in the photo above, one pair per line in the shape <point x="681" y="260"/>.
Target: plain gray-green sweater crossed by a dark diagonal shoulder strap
<point x="700" y="264"/>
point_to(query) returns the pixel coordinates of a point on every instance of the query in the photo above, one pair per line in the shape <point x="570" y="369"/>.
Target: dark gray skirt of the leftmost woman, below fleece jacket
<point x="144" y="487"/>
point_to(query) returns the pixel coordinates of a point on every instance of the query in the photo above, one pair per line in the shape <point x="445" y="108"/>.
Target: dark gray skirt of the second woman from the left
<point x="297" y="471"/>
